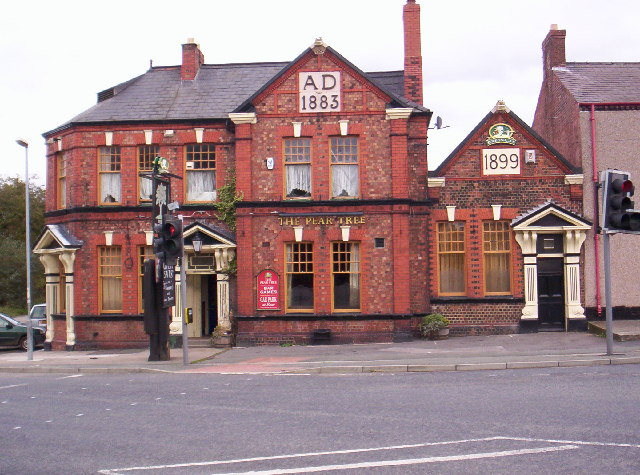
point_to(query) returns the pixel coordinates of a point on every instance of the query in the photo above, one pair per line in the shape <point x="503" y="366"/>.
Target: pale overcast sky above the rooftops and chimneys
<point x="56" y="55"/>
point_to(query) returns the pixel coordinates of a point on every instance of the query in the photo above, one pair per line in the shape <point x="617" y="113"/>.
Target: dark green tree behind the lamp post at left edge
<point x="13" y="275"/>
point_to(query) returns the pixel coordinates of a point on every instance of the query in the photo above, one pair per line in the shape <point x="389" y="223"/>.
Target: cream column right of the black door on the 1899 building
<point x="573" y="240"/>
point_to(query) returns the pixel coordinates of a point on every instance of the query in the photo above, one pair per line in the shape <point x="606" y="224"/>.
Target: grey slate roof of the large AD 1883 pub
<point x="218" y="89"/>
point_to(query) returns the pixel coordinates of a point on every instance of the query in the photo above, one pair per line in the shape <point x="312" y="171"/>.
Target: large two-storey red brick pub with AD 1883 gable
<point x="330" y="161"/>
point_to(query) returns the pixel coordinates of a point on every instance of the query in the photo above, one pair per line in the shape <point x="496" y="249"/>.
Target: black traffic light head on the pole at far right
<point x="617" y="208"/>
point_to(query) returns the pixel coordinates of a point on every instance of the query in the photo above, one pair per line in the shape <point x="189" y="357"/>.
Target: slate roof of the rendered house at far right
<point x="601" y="82"/>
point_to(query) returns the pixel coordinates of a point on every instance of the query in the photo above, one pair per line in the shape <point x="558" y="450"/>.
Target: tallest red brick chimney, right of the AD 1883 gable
<point x="412" y="52"/>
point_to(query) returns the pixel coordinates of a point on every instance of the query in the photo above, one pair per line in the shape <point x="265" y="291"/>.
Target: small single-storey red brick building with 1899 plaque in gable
<point x="506" y="232"/>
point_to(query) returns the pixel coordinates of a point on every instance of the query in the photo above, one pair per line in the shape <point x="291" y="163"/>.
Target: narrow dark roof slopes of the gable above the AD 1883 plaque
<point x="390" y="83"/>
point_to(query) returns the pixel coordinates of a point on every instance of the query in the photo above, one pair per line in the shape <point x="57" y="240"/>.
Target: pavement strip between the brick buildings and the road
<point x="495" y="352"/>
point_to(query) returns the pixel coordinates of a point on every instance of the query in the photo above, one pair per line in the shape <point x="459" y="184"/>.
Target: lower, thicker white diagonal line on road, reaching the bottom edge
<point x="391" y="463"/>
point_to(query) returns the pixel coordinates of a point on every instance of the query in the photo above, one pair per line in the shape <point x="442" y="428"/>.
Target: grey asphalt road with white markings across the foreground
<point x="561" y="420"/>
